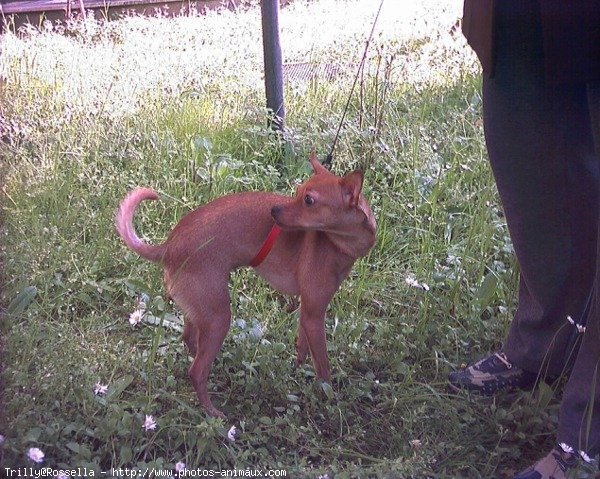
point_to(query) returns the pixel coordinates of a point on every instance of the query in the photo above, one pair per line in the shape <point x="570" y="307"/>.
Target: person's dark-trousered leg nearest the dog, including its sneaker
<point x="541" y="151"/>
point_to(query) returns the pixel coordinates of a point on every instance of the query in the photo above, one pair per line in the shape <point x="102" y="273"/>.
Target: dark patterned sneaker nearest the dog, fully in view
<point x="490" y="375"/>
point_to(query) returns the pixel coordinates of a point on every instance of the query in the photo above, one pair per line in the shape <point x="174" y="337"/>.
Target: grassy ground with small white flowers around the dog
<point x="89" y="111"/>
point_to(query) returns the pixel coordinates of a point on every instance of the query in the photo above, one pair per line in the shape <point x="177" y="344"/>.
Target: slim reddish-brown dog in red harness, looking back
<point x="324" y="229"/>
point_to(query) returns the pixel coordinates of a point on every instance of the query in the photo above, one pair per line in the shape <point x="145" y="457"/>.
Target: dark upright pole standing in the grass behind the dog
<point x="273" y="63"/>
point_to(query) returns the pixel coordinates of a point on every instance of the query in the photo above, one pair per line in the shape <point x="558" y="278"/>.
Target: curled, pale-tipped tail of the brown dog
<point x="124" y="224"/>
